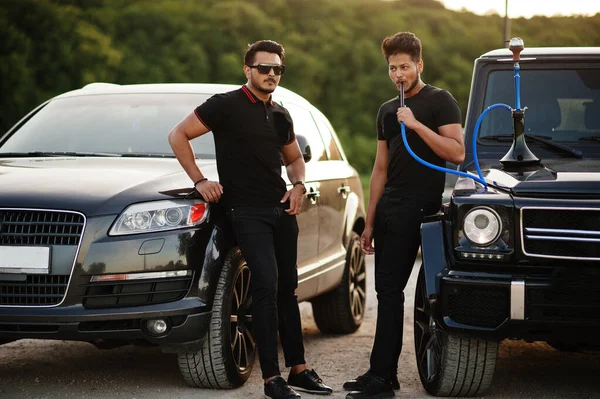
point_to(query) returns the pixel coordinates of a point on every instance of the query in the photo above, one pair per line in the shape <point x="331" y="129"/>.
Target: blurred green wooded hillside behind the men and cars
<point x="332" y="49"/>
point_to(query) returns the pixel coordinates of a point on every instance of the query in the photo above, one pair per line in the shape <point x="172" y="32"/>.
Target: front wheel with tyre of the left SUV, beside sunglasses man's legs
<point x="229" y="350"/>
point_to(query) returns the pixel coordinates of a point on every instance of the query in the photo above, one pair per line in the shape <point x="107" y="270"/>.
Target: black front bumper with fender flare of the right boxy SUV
<point x="492" y="301"/>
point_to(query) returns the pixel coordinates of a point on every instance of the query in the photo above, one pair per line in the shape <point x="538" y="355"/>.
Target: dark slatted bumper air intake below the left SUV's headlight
<point x="135" y="292"/>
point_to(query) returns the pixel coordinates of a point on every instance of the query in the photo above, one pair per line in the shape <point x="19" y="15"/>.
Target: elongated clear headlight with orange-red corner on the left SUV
<point x="150" y="217"/>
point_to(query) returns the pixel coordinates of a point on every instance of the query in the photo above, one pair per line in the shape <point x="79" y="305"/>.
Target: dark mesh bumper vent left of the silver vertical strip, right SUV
<point x="476" y="306"/>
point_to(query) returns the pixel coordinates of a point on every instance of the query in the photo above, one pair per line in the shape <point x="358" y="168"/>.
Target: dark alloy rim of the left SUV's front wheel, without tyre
<point x="243" y="346"/>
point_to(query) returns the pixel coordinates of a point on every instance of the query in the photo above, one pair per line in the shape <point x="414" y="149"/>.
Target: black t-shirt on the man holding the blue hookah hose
<point x="433" y="107"/>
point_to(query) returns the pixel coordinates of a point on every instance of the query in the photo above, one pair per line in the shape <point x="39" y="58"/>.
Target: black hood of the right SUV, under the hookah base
<point x="559" y="178"/>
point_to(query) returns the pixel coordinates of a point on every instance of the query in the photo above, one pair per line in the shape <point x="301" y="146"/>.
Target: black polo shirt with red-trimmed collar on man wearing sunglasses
<point x="249" y="135"/>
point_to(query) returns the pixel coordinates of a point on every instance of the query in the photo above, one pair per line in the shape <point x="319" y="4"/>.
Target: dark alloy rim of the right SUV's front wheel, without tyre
<point x="428" y="338"/>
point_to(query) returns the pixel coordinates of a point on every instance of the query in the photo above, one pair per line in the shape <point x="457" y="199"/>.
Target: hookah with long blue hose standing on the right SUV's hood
<point x="518" y="155"/>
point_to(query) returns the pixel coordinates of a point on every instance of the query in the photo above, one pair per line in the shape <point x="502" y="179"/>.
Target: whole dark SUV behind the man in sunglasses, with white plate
<point x="103" y="240"/>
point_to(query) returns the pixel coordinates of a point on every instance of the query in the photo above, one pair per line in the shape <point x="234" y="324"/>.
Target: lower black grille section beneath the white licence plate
<point x="36" y="290"/>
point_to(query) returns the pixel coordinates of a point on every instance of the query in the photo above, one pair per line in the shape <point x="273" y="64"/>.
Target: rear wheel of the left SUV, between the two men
<point x="342" y="310"/>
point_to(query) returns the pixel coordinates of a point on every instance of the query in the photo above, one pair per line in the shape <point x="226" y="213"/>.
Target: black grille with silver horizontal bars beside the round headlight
<point x="561" y="233"/>
